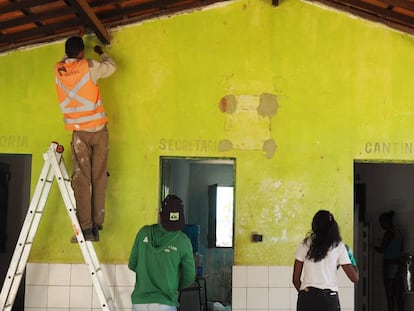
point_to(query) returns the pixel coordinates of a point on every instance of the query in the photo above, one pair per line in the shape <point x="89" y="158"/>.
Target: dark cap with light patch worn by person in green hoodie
<point x="172" y="213"/>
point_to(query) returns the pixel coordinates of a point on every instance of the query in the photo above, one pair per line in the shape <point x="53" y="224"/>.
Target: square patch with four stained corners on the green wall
<point x="248" y="123"/>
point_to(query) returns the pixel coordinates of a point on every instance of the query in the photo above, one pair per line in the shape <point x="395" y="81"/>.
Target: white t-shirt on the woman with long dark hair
<point x="322" y="274"/>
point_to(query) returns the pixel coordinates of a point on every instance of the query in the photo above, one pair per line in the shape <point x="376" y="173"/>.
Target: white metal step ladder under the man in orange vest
<point x="54" y="167"/>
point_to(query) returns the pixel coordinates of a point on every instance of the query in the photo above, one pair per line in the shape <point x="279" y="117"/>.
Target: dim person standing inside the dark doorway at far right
<point x="392" y="251"/>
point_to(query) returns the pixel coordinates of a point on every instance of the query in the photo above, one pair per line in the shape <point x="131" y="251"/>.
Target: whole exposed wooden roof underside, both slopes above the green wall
<point x="28" y="22"/>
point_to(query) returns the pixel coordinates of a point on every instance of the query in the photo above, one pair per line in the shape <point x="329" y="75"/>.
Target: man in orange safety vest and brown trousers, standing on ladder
<point x="84" y="114"/>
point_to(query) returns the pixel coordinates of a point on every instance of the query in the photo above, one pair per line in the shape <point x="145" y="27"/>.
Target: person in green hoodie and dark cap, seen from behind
<point x="162" y="259"/>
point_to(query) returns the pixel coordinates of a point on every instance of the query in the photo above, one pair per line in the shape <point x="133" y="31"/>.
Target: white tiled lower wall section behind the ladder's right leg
<point x="61" y="287"/>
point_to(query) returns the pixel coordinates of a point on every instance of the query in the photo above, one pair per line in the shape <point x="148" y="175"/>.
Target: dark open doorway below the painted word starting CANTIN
<point x="380" y="187"/>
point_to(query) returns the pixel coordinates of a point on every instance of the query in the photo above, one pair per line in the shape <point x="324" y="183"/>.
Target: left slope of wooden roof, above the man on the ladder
<point x="27" y="22"/>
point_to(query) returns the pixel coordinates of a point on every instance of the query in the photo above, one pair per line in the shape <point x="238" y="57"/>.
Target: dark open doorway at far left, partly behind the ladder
<point x="15" y="180"/>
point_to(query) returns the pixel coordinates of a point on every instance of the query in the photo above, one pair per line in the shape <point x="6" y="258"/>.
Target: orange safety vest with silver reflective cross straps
<point x="79" y="98"/>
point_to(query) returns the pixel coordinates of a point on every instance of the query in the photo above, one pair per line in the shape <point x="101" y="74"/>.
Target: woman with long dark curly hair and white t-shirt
<point x="317" y="260"/>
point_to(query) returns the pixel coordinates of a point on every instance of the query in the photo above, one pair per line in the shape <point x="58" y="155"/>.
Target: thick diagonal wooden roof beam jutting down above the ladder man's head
<point x="89" y="17"/>
